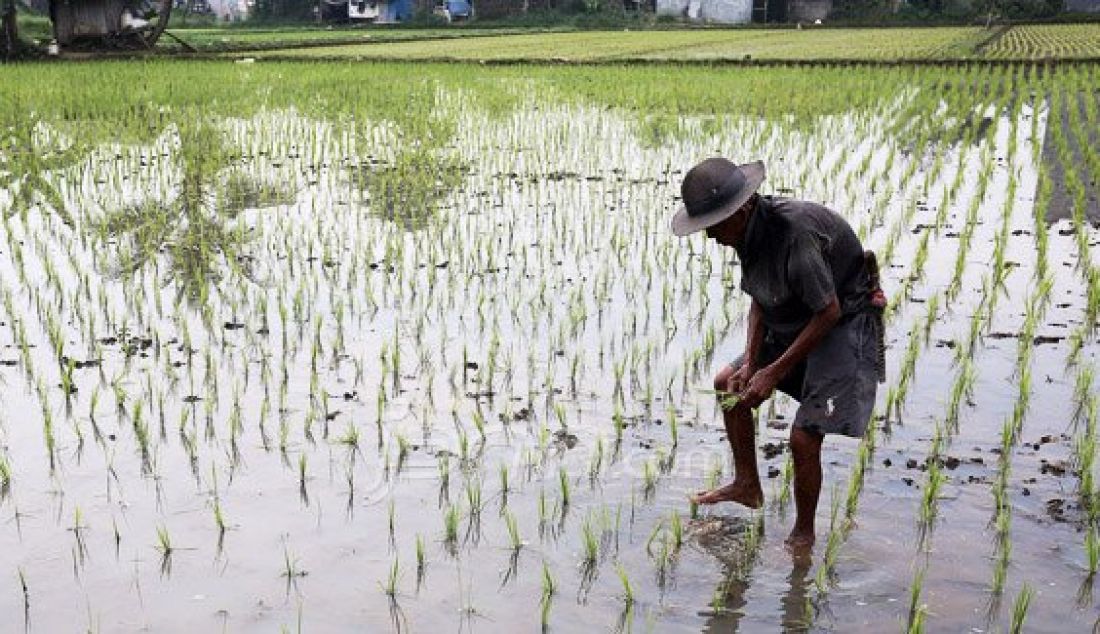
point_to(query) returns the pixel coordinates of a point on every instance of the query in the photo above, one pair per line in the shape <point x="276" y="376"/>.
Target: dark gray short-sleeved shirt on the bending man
<point x="796" y="258"/>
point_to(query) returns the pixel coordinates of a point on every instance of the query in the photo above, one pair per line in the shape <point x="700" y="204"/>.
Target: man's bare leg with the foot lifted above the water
<point x="741" y="431"/>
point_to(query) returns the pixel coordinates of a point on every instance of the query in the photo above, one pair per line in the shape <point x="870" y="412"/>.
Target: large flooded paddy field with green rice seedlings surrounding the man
<point x="358" y="347"/>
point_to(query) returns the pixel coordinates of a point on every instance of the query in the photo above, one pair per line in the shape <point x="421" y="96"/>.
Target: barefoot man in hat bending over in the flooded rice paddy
<point x="815" y="329"/>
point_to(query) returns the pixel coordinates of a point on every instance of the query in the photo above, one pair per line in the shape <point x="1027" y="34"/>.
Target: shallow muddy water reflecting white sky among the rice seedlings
<point x="547" y="272"/>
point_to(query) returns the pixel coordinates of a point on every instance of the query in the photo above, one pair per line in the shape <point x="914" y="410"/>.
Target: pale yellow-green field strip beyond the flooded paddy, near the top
<point x="949" y="43"/>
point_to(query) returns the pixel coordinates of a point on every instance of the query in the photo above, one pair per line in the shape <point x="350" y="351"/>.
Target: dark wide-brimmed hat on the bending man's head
<point x="714" y="191"/>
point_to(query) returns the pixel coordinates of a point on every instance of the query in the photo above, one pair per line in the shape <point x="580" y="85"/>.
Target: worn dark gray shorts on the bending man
<point x="837" y="385"/>
